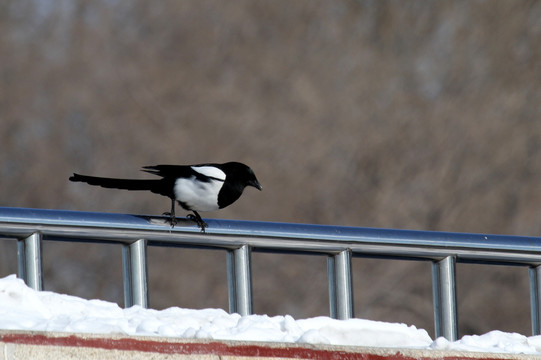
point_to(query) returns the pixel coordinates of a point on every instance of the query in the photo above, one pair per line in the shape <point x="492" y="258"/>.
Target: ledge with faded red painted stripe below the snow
<point x="173" y="346"/>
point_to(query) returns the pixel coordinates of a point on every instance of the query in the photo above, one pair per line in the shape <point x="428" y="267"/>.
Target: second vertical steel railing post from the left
<point x="134" y="265"/>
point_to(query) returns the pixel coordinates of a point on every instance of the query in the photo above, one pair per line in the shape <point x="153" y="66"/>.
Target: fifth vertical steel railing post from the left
<point x="444" y="292"/>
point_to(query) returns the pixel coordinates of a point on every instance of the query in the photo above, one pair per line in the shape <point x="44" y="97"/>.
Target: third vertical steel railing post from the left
<point x="239" y="279"/>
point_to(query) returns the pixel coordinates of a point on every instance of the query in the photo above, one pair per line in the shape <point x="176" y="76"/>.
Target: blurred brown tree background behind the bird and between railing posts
<point x="411" y="115"/>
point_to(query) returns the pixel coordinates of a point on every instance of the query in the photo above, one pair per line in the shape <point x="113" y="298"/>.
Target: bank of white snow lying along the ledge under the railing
<point x="22" y="308"/>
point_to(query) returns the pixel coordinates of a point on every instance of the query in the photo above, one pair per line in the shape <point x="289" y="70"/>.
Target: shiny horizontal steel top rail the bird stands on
<point x="230" y="234"/>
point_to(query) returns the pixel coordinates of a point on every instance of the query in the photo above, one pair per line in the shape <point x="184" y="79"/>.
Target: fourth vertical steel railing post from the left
<point x="340" y="285"/>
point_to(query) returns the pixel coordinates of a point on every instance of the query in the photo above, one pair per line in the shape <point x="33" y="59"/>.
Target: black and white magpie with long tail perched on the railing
<point x="202" y="187"/>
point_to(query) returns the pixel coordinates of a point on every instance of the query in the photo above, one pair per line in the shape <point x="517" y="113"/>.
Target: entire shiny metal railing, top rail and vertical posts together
<point x="239" y="238"/>
